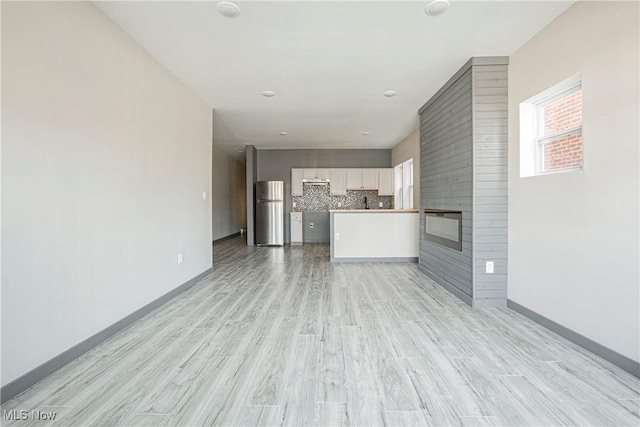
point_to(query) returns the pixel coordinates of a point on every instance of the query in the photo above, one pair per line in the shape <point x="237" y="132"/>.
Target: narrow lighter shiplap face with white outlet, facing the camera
<point x="490" y="181"/>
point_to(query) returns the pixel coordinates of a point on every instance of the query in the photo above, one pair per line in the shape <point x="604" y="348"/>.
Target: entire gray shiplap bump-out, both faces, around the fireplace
<point x="463" y="140"/>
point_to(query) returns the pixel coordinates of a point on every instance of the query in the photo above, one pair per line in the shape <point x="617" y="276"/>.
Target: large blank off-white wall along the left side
<point x="105" y="156"/>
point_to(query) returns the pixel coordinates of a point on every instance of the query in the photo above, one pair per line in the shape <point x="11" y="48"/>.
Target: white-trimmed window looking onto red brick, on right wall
<point x="551" y="130"/>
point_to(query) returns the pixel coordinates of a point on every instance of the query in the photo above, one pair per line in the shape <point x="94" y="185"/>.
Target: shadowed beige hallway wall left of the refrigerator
<point x="229" y="195"/>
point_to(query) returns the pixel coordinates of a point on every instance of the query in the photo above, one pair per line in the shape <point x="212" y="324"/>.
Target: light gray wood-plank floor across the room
<point x="280" y="336"/>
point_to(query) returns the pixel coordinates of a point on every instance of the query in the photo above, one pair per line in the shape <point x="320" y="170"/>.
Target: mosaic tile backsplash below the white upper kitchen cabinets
<point x="318" y="198"/>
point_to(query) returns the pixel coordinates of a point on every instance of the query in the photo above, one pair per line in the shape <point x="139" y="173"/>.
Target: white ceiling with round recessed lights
<point x="327" y="61"/>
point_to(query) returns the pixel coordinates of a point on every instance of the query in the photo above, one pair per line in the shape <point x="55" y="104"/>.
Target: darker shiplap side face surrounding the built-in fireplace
<point x="446" y="178"/>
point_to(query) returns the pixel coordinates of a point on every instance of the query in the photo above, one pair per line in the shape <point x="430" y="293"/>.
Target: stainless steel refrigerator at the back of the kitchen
<point x="270" y="213"/>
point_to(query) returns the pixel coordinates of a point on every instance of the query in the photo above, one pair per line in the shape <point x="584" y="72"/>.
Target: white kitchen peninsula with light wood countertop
<point x="374" y="235"/>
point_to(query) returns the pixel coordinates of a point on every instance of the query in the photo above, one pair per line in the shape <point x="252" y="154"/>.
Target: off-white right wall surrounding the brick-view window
<point x="573" y="237"/>
